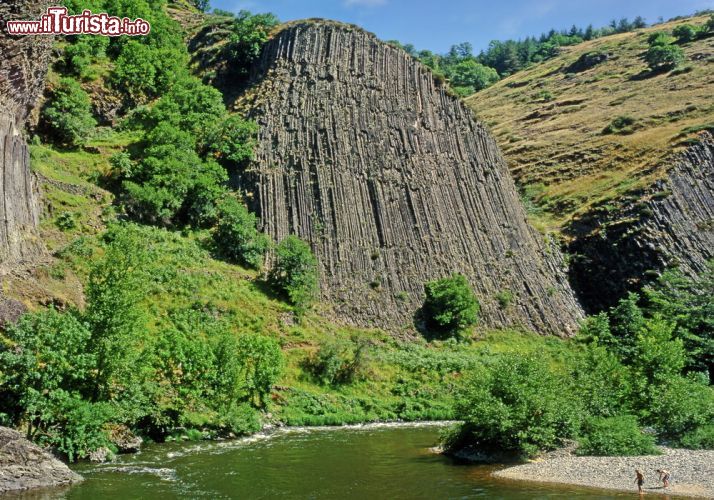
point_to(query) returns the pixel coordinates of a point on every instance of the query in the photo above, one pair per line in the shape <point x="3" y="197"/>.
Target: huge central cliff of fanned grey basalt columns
<point x="392" y="181"/>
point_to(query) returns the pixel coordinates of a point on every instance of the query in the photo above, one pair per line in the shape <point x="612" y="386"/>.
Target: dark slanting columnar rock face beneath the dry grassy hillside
<point x="621" y="251"/>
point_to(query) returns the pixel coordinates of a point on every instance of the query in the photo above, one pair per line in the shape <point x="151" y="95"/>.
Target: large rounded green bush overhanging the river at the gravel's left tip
<point x="518" y="404"/>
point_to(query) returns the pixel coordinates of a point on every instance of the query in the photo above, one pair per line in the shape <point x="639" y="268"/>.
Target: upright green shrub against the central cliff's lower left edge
<point x="294" y="273"/>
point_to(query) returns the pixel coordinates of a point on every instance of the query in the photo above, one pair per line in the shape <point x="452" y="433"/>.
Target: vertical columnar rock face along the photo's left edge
<point x="22" y="77"/>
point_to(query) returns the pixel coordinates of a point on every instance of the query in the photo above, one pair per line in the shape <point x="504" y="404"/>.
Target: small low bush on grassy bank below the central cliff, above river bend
<point x="338" y="362"/>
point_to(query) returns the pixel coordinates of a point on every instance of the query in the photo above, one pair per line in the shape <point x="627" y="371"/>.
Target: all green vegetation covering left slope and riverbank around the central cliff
<point x="160" y="317"/>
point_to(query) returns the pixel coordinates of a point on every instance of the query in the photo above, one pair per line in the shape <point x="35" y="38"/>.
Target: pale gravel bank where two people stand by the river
<point x="692" y="472"/>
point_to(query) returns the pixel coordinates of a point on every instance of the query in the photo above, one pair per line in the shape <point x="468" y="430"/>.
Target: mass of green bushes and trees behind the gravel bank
<point x="644" y="363"/>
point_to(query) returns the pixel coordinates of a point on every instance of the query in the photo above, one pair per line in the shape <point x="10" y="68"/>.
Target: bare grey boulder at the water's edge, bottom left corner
<point x="24" y="465"/>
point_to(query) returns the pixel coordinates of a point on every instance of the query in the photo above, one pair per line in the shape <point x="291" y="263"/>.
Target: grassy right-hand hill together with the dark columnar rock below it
<point x="628" y="203"/>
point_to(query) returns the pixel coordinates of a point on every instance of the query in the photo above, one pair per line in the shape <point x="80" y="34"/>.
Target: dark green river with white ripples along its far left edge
<point x="367" y="462"/>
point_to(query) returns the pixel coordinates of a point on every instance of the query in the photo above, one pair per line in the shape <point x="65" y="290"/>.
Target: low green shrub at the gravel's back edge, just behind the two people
<point x="615" y="436"/>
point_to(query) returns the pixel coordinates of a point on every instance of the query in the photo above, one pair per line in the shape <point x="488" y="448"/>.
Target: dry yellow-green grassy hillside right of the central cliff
<point x="550" y="121"/>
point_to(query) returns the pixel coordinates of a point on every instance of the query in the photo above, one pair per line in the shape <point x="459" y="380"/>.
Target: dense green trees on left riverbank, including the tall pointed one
<point x="66" y="375"/>
